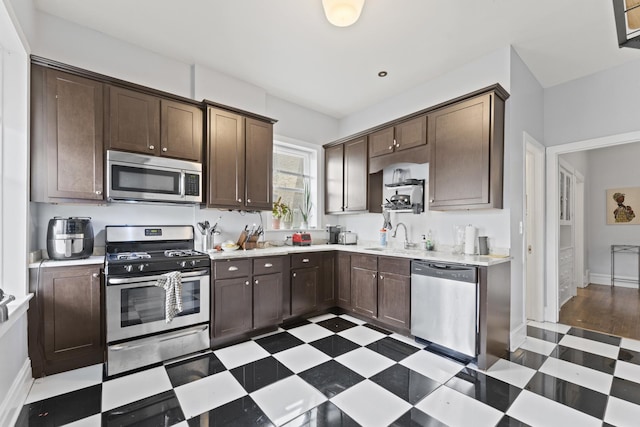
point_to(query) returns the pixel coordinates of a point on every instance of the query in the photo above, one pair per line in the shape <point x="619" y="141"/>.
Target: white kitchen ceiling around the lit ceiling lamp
<point x="288" y="48"/>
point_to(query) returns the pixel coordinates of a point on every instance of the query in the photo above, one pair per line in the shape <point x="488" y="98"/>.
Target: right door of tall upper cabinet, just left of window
<point x="259" y="159"/>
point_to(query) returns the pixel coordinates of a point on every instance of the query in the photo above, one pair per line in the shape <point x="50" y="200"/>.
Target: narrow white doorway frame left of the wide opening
<point x="534" y="179"/>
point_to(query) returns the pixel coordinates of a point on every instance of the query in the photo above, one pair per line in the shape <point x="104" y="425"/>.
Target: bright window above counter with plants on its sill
<point x="292" y="166"/>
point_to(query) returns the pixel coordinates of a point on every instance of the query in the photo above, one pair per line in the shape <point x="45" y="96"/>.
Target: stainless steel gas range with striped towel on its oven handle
<point x="140" y="331"/>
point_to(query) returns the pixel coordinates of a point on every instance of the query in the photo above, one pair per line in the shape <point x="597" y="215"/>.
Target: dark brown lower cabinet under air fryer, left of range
<point x="65" y="320"/>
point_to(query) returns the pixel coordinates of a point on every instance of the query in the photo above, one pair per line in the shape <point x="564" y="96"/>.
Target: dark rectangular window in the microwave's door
<point x="142" y="180"/>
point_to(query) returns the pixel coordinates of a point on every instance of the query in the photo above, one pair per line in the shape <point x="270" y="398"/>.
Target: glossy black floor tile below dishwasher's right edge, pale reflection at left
<point x="484" y="388"/>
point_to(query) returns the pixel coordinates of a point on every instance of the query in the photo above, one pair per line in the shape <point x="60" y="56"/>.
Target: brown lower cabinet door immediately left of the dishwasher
<point x="394" y="299"/>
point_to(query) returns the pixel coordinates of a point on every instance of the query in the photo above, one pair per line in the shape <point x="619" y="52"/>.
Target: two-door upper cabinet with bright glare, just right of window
<point x="346" y="177"/>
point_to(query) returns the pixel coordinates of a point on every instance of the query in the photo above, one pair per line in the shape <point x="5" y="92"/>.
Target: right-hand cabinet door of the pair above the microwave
<point x="181" y="132"/>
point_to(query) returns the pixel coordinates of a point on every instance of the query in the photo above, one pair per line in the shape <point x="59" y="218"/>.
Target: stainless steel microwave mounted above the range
<point x="139" y="177"/>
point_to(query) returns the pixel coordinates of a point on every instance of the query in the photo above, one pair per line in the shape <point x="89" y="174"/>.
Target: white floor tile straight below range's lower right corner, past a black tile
<point x="208" y="393"/>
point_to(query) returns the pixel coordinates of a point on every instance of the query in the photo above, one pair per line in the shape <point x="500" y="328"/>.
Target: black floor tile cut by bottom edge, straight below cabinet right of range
<point x="239" y="413"/>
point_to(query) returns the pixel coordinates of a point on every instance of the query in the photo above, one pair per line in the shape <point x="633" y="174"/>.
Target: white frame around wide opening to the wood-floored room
<point x="552" y="310"/>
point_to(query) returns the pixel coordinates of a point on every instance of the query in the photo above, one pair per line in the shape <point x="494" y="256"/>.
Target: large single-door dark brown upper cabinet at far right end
<point x="466" y="159"/>
